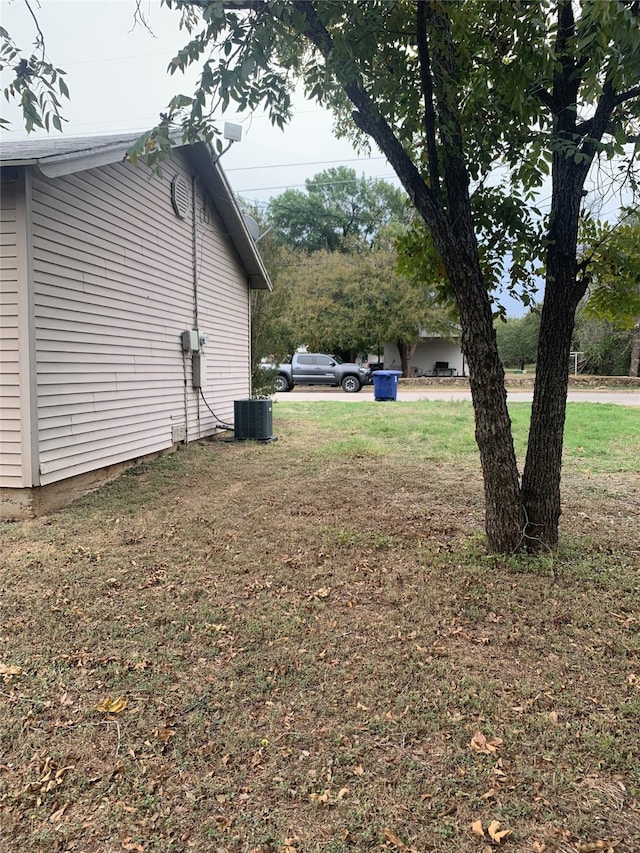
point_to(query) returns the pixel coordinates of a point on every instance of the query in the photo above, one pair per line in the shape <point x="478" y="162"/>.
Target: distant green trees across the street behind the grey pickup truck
<point x="347" y="278"/>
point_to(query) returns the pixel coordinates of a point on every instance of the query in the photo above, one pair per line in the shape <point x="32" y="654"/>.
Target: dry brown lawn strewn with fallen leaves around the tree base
<point x="301" y="646"/>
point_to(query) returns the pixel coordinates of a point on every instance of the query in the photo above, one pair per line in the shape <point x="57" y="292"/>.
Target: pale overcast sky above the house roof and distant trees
<point x="118" y="81"/>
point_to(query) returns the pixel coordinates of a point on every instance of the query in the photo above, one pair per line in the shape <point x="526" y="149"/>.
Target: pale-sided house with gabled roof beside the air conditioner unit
<point x="104" y="266"/>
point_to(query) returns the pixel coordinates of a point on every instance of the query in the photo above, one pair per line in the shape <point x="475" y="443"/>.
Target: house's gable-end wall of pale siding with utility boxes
<point x="113" y="288"/>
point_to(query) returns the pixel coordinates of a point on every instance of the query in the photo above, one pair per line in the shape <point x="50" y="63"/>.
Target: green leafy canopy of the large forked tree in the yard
<point x="505" y="53"/>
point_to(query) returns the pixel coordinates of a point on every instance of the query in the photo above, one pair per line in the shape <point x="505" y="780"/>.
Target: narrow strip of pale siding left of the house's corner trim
<point x="11" y="457"/>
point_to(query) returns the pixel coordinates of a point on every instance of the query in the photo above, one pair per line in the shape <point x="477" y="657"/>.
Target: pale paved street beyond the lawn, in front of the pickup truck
<point x="619" y="396"/>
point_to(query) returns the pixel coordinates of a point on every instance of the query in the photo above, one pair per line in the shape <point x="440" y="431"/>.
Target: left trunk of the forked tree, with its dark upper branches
<point x="452" y="229"/>
